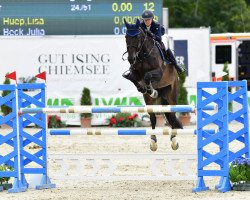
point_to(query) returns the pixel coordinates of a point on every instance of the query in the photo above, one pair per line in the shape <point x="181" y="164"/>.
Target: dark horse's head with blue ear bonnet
<point x="134" y="40"/>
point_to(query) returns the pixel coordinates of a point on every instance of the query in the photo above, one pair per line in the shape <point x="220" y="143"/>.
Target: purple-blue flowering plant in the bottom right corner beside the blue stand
<point x="239" y="174"/>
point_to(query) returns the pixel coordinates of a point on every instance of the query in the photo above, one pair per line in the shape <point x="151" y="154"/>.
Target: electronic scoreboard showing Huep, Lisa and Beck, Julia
<point x="71" y="17"/>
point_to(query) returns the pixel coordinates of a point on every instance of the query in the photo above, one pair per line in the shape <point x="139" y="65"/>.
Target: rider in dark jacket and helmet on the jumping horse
<point x="155" y="30"/>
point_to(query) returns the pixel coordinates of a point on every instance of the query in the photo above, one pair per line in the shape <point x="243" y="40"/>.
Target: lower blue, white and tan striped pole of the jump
<point x="111" y="131"/>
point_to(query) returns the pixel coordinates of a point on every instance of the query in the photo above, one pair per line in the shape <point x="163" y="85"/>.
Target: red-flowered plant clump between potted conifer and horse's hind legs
<point x="124" y="120"/>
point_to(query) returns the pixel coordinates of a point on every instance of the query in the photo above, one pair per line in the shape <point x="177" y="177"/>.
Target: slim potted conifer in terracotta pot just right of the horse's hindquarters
<point x="184" y="117"/>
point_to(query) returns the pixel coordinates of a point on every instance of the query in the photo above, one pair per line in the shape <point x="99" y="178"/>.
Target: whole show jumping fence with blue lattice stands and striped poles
<point x="212" y="93"/>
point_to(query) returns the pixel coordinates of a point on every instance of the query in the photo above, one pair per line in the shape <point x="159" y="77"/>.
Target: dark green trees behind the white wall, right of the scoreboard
<point x="220" y="15"/>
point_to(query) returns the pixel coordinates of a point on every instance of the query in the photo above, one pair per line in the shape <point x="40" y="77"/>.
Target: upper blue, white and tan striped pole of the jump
<point x="116" y="109"/>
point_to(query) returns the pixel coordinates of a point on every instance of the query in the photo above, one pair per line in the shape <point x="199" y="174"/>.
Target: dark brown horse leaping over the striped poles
<point x="152" y="76"/>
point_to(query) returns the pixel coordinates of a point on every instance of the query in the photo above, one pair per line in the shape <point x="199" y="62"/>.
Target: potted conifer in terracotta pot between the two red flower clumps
<point x="86" y="101"/>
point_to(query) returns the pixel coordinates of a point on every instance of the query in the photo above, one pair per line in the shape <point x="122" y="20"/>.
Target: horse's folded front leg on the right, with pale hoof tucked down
<point x="152" y="76"/>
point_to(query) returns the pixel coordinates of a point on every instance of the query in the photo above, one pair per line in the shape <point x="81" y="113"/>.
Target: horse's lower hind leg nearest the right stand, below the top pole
<point x="175" y="124"/>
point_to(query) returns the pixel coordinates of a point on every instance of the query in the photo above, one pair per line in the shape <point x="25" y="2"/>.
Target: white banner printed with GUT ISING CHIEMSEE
<point x="70" y="62"/>
